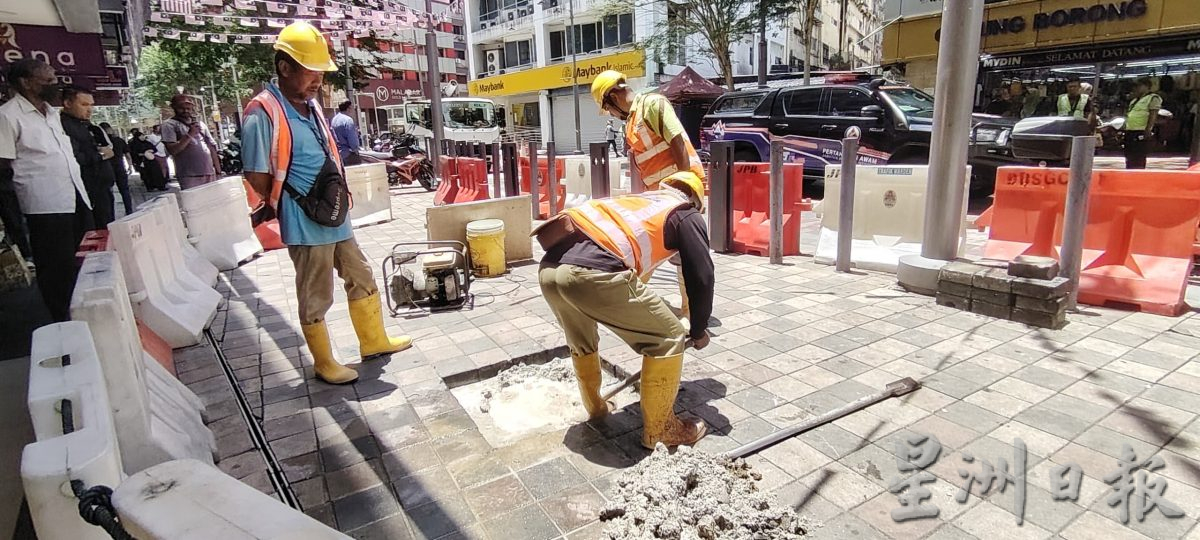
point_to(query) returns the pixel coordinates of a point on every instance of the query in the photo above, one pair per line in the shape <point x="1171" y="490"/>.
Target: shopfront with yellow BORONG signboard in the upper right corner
<point x="1031" y="49"/>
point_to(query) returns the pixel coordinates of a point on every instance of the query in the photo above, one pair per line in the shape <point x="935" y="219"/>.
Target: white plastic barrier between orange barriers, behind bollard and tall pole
<point x="890" y="215"/>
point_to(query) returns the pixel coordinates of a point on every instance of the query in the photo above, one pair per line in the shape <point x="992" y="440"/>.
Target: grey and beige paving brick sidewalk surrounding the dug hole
<point x="397" y="457"/>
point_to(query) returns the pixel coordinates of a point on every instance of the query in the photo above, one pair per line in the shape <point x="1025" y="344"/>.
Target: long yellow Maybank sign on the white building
<point x="632" y="63"/>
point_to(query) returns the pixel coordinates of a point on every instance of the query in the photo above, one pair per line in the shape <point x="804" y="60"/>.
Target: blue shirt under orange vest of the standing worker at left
<point x="308" y="158"/>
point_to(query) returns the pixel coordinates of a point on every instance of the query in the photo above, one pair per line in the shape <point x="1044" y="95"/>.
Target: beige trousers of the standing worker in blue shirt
<point x="315" y="277"/>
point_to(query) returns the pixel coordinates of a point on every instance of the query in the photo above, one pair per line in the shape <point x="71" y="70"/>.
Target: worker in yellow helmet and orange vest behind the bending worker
<point x="655" y="139"/>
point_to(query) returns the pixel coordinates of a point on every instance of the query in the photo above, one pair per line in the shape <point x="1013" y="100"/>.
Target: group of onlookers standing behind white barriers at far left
<point x="58" y="170"/>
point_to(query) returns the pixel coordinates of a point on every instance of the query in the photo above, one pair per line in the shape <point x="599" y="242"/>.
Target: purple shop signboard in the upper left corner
<point x="71" y="56"/>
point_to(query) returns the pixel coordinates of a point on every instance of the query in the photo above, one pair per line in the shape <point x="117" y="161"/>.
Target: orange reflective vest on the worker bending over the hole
<point x="631" y="227"/>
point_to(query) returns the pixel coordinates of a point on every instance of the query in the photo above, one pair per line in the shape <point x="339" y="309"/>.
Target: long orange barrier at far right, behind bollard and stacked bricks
<point x="1137" y="243"/>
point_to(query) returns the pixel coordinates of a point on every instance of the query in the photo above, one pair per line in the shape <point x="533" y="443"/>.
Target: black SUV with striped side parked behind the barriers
<point x="896" y="123"/>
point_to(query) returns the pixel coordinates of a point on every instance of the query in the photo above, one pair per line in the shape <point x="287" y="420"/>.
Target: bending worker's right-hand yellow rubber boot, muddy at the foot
<point x="661" y="385"/>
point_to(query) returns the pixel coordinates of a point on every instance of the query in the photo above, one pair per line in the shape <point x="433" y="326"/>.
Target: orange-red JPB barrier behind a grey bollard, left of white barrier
<point x="752" y="208"/>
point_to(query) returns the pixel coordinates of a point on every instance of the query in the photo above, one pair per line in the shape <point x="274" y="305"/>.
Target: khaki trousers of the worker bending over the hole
<point x="581" y="298"/>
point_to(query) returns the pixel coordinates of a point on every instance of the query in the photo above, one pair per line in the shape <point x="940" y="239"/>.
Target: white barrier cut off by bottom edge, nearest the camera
<point x="189" y="501"/>
